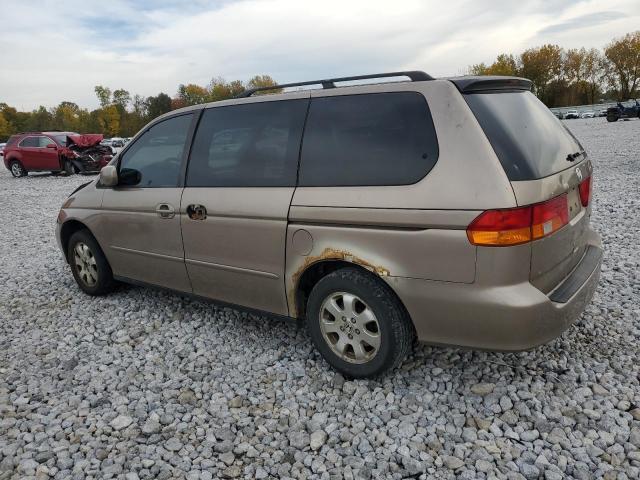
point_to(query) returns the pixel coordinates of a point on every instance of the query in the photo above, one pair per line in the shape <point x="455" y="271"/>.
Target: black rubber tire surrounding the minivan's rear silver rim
<point x="395" y="329"/>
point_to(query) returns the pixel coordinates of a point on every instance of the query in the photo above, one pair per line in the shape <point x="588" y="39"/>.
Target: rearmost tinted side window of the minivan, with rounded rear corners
<point x="372" y="139"/>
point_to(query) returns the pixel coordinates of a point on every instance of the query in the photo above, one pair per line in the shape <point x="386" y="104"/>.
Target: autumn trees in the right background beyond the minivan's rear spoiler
<point x="575" y="76"/>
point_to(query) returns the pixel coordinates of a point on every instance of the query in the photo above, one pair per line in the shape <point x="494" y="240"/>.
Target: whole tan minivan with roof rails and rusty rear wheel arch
<point x="455" y="211"/>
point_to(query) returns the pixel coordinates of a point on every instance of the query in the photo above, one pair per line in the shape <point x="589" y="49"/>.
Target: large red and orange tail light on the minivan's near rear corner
<point x="514" y="226"/>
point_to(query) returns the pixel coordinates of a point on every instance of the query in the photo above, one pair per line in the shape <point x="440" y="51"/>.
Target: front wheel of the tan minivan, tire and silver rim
<point x="100" y="280"/>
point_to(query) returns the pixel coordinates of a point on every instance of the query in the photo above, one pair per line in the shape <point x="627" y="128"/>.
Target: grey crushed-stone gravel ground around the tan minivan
<point x="146" y="384"/>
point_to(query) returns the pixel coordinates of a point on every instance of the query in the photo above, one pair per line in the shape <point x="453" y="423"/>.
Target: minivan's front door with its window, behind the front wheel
<point x="139" y="228"/>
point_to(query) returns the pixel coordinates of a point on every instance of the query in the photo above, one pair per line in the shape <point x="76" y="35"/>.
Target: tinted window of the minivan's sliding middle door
<point x="252" y="145"/>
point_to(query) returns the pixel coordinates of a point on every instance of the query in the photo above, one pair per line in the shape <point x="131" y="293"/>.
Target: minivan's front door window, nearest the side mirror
<point x="157" y="153"/>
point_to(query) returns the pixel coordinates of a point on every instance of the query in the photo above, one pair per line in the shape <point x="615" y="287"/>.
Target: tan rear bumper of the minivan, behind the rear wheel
<point x="506" y="317"/>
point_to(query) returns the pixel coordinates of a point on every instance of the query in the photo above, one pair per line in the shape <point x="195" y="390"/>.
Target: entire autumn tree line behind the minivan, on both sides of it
<point x="560" y="78"/>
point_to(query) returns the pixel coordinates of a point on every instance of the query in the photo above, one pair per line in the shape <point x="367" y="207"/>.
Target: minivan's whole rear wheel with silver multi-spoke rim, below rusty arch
<point x="358" y="324"/>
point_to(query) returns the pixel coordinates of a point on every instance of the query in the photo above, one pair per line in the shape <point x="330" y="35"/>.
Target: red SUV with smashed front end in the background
<point x="55" y="152"/>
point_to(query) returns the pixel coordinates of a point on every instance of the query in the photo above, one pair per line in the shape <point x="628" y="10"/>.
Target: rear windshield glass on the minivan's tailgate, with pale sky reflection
<point x="528" y="139"/>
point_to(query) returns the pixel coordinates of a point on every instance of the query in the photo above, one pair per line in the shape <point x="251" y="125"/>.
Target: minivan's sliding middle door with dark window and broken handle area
<point x="240" y="180"/>
